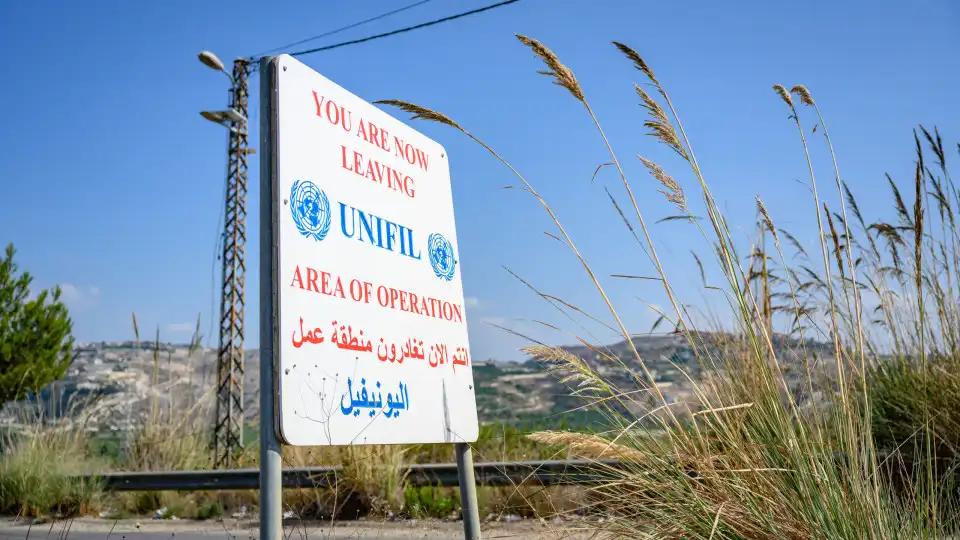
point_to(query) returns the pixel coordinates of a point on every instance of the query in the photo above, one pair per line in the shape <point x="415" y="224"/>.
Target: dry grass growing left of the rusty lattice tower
<point x="39" y="460"/>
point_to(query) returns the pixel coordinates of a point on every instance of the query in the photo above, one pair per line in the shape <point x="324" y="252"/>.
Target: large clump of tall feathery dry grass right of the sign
<point x="770" y="447"/>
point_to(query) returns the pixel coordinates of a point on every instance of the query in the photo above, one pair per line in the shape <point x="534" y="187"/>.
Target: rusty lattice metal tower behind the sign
<point x="228" y="429"/>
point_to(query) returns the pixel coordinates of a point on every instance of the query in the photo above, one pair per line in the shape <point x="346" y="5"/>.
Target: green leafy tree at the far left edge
<point x="36" y="346"/>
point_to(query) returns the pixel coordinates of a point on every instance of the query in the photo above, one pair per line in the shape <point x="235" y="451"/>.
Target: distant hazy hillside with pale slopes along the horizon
<point x="115" y="386"/>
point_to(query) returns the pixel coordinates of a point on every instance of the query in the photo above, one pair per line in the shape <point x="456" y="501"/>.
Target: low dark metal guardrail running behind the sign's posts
<point x="546" y="473"/>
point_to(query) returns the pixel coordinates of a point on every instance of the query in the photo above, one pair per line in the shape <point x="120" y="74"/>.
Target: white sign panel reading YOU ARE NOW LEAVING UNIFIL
<point x="373" y="344"/>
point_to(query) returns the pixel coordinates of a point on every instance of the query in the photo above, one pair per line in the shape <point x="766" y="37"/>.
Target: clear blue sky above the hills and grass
<point x="111" y="183"/>
